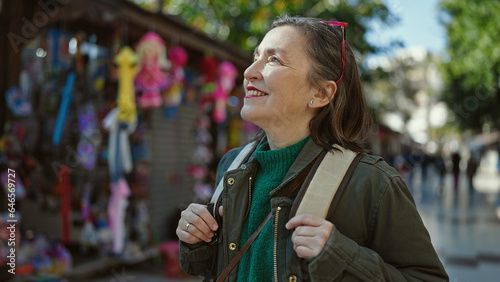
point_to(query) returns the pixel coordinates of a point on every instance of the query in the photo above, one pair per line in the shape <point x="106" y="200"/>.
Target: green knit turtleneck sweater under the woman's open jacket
<point x="257" y="263"/>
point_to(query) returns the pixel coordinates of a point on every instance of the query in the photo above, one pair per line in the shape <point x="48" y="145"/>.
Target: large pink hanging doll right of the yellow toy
<point x="150" y="80"/>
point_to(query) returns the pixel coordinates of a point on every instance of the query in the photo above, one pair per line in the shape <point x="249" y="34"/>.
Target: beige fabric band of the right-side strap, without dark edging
<point x="325" y="182"/>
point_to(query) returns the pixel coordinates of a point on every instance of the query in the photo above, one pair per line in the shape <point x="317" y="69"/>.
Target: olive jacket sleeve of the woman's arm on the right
<point x="400" y="248"/>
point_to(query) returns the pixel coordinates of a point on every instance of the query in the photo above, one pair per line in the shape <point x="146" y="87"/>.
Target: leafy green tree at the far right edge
<point x="472" y="72"/>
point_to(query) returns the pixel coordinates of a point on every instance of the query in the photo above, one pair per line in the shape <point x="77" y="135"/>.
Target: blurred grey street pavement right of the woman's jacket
<point x="462" y="223"/>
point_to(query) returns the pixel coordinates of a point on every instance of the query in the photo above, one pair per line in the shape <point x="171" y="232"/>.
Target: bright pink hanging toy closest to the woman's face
<point x="227" y="75"/>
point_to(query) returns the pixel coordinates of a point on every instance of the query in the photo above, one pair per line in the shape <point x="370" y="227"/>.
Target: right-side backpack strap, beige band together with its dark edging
<point x="317" y="196"/>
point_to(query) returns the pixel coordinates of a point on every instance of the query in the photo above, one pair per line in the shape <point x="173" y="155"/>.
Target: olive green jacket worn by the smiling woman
<point x="378" y="234"/>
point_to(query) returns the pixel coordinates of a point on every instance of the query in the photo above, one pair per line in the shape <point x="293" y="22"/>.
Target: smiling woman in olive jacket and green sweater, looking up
<point x="303" y="90"/>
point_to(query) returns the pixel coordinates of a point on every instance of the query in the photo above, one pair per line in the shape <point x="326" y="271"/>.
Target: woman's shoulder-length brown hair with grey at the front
<point x="343" y="120"/>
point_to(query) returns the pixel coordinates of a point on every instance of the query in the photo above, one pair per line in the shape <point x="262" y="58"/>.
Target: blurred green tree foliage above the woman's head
<point x="245" y="22"/>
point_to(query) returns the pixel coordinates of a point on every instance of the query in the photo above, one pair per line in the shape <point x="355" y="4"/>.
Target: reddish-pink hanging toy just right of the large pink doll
<point x="173" y="96"/>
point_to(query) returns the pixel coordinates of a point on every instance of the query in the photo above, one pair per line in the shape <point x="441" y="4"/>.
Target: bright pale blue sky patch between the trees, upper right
<point x="419" y="25"/>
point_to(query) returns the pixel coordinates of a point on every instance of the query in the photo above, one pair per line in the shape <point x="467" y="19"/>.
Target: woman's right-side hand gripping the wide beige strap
<point x="310" y="235"/>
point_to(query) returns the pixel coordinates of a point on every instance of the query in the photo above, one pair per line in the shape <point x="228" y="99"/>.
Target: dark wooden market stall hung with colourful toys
<point x="114" y="119"/>
